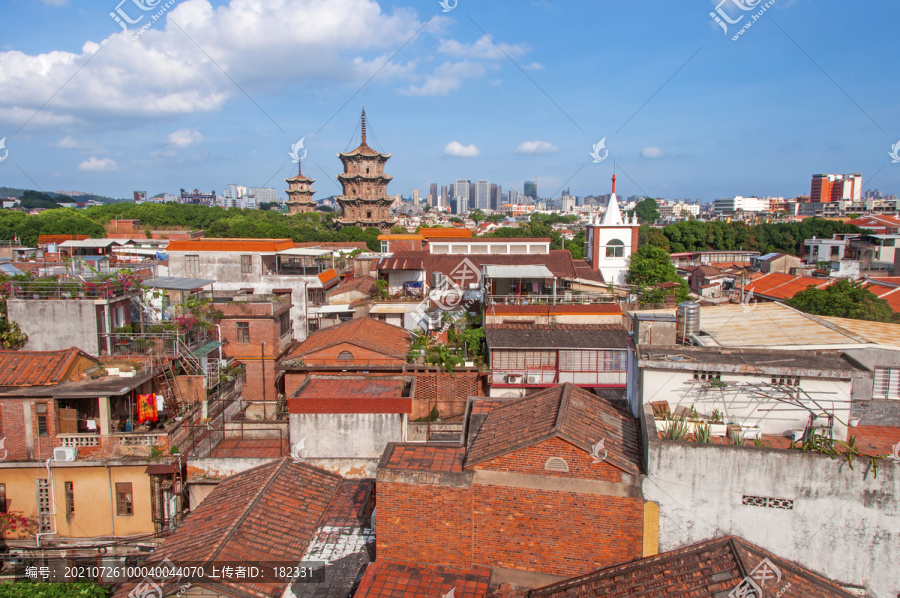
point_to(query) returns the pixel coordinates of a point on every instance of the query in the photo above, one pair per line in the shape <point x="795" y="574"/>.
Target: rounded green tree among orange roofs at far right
<point x="843" y="299"/>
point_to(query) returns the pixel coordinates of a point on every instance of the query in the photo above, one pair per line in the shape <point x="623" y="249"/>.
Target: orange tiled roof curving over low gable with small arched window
<point x="363" y="332"/>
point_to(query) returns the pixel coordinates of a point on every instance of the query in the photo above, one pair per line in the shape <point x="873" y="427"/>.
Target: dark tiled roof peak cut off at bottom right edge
<point x="705" y="570"/>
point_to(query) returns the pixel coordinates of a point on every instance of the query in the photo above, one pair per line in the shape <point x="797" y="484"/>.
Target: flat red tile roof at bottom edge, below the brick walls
<point x="388" y="579"/>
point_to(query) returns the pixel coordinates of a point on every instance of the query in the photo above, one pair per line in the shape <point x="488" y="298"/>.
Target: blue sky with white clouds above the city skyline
<point x="218" y="92"/>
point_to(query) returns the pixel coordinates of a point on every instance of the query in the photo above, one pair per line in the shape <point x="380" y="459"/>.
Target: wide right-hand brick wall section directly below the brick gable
<point x="552" y="532"/>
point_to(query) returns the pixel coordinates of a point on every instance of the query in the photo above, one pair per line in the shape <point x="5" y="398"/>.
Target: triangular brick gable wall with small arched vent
<point x="531" y="460"/>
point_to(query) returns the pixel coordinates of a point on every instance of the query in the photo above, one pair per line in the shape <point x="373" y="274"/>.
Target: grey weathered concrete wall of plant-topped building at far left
<point x="54" y="324"/>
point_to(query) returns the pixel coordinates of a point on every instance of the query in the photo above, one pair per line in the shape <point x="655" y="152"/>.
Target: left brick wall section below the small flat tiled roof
<point x="424" y="524"/>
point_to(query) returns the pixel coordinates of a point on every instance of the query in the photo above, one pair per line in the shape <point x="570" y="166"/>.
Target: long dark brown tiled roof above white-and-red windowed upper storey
<point x="556" y="336"/>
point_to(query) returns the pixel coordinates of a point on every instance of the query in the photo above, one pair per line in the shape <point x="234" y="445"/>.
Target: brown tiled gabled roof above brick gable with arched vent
<point x="567" y="412"/>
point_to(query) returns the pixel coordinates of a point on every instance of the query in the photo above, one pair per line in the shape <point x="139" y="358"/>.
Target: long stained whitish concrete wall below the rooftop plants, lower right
<point x="844" y="524"/>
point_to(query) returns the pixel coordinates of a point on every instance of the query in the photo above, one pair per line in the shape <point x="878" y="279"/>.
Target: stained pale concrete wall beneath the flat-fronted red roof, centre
<point x="346" y="435"/>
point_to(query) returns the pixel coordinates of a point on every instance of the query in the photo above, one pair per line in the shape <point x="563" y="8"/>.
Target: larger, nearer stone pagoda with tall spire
<point x="365" y="202"/>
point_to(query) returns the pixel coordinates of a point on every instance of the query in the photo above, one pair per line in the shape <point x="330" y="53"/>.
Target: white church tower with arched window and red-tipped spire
<point x="611" y="242"/>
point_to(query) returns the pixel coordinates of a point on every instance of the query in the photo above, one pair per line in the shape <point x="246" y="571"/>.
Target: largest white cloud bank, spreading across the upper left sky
<point x="162" y="73"/>
